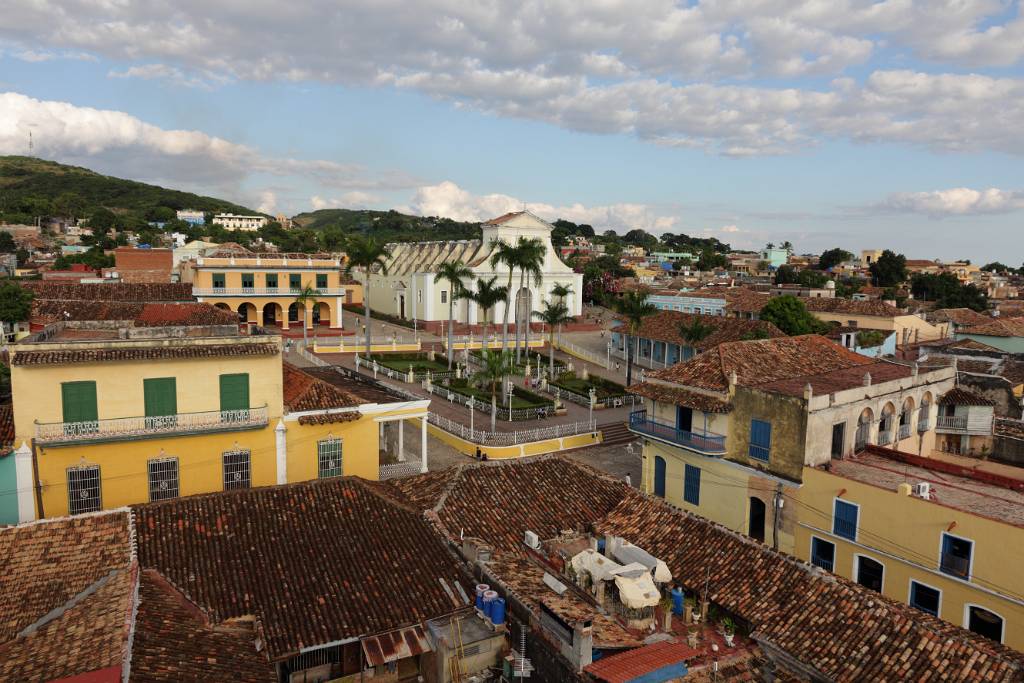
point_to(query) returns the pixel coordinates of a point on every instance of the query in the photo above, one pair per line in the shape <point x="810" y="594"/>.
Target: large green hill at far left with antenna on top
<point x="31" y="188"/>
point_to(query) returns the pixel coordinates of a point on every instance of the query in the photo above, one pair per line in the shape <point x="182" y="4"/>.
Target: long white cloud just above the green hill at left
<point x="120" y="144"/>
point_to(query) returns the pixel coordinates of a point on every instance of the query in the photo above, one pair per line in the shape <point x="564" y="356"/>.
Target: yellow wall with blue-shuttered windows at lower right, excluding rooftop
<point x="905" y="535"/>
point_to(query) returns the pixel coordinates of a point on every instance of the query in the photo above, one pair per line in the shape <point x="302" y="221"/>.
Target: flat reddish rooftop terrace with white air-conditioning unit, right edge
<point x="975" y="492"/>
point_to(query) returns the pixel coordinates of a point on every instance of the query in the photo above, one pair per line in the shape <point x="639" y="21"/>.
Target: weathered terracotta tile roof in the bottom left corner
<point x="66" y="597"/>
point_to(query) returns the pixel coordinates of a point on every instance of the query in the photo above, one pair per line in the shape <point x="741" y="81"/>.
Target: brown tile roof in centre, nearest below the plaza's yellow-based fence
<point x="546" y="498"/>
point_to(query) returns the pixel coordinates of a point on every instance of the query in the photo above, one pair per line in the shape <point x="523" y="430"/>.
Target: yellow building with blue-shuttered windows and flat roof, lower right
<point x="946" y="539"/>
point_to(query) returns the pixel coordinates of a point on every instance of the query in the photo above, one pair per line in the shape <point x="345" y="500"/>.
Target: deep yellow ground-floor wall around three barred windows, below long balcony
<point x="123" y="466"/>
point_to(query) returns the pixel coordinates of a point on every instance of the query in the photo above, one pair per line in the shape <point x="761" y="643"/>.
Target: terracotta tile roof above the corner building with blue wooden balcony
<point x="761" y="362"/>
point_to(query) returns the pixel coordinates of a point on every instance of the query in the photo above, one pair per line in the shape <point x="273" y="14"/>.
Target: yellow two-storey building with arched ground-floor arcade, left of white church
<point x="263" y="289"/>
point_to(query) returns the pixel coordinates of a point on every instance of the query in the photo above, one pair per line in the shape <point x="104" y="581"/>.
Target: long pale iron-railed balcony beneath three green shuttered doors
<point x="66" y="434"/>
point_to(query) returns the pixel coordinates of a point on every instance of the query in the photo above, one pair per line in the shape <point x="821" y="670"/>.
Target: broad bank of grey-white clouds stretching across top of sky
<point x="677" y="74"/>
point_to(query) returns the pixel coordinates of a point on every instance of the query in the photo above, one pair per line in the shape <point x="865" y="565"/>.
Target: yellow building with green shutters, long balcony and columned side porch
<point x="108" y="417"/>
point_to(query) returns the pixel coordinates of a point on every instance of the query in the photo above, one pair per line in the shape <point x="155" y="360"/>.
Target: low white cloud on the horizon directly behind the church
<point x="449" y="200"/>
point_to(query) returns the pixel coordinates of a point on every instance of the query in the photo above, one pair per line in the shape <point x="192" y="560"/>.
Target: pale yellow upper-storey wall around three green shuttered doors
<point x="119" y="387"/>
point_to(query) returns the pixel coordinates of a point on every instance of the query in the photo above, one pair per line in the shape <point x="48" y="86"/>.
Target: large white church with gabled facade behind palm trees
<point x="411" y="289"/>
